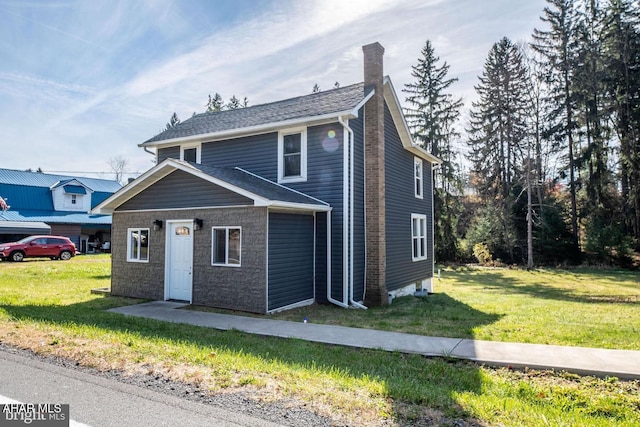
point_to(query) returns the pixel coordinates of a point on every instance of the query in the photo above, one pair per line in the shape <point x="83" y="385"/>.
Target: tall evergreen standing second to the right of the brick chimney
<point x="498" y="130"/>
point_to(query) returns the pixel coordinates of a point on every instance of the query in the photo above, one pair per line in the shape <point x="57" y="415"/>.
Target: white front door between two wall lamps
<point x="179" y="265"/>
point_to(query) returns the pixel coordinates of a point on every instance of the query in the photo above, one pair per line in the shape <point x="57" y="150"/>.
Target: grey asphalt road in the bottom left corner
<point x="97" y="402"/>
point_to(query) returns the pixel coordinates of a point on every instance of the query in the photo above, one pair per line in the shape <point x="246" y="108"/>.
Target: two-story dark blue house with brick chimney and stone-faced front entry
<point x="320" y="198"/>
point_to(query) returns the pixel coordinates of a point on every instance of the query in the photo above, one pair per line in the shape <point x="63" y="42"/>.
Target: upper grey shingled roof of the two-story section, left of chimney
<point x="315" y="105"/>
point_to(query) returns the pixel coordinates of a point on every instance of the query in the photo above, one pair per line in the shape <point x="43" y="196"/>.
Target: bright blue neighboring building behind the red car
<point x="40" y="203"/>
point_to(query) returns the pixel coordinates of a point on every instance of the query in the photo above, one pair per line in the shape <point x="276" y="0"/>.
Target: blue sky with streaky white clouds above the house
<point x="85" y="81"/>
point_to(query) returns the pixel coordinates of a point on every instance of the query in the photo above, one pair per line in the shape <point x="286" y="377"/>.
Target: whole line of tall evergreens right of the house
<point x="553" y="142"/>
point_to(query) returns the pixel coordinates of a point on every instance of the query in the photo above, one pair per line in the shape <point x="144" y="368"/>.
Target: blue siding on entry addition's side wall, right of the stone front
<point x="290" y="277"/>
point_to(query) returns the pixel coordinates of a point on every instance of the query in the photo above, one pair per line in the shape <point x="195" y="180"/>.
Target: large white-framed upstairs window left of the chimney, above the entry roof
<point x="292" y="156"/>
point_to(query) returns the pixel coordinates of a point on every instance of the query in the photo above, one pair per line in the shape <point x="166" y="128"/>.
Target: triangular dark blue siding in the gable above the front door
<point x="183" y="190"/>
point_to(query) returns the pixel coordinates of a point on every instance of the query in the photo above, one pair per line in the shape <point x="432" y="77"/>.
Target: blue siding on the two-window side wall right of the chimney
<point x="400" y="204"/>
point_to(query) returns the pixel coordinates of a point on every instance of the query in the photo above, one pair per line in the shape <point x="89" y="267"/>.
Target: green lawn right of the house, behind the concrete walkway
<point x="587" y="308"/>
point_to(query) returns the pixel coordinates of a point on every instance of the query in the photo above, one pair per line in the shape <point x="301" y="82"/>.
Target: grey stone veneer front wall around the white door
<point x="238" y="288"/>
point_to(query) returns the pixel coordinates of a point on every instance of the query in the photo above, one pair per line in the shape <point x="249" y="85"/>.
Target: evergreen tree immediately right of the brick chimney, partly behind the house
<point x="432" y="115"/>
